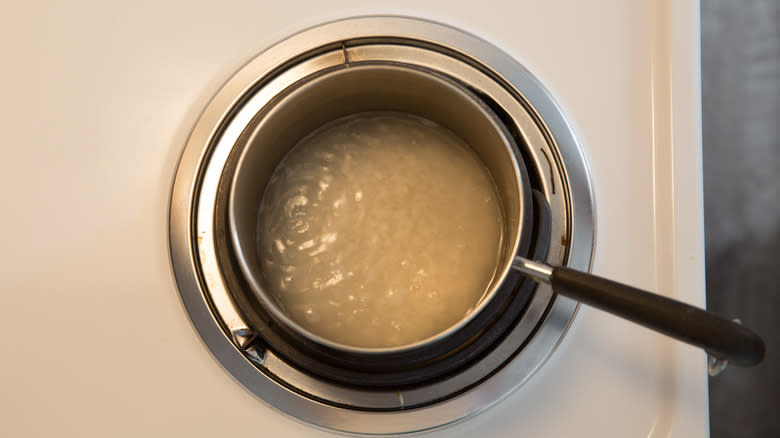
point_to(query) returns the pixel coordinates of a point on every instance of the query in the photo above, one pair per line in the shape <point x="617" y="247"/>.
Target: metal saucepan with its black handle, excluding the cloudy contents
<point x="381" y="86"/>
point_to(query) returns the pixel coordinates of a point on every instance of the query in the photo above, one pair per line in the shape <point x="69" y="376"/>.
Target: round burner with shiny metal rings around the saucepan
<point x="328" y="391"/>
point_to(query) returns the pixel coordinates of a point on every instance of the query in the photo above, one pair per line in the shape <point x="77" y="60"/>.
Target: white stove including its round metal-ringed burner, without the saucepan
<point x="123" y="120"/>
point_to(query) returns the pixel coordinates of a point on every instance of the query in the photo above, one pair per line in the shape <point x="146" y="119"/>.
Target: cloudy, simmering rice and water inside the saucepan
<point x="379" y="230"/>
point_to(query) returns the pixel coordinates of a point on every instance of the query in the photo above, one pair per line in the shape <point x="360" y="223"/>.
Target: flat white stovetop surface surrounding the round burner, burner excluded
<point x="97" y="102"/>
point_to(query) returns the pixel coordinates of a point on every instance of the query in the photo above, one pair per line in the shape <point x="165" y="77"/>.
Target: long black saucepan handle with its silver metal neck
<point x="720" y="337"/>
